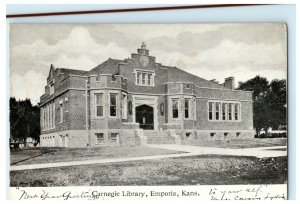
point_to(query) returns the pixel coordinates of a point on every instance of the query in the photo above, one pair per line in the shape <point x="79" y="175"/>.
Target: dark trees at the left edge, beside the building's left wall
<point x="24" y="120"/>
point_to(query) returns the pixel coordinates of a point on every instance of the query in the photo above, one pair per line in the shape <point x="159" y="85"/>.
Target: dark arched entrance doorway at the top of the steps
<point x="144" y="116"/>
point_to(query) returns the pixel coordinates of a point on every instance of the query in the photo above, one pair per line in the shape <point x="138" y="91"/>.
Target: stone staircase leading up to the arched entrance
<point x="158" y="137"/>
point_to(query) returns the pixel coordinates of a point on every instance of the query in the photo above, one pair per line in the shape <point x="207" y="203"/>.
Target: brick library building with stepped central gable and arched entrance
<point x="137" y="100"/>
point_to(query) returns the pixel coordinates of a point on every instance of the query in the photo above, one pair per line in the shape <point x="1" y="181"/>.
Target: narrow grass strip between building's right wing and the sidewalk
<point x="242" y="143"/>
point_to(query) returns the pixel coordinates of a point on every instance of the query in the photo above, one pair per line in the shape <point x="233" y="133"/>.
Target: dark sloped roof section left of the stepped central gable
<point x="109" y="66"/>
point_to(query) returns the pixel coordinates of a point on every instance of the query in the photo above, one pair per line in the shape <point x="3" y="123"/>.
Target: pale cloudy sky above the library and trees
<point x="211" y="51"/>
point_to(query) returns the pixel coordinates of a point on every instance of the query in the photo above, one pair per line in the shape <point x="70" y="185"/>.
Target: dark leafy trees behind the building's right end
<point x="269" y="102"/>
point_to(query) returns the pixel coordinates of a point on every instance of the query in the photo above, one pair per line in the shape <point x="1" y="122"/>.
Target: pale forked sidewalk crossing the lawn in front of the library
<point x="259" y="152"/>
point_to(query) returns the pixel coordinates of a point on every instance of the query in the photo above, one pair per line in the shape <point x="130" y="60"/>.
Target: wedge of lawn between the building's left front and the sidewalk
<point x="49" y="155"/>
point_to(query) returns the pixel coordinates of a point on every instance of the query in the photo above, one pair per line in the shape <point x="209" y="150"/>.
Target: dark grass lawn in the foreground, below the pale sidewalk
<point x="197" y="170"/>
